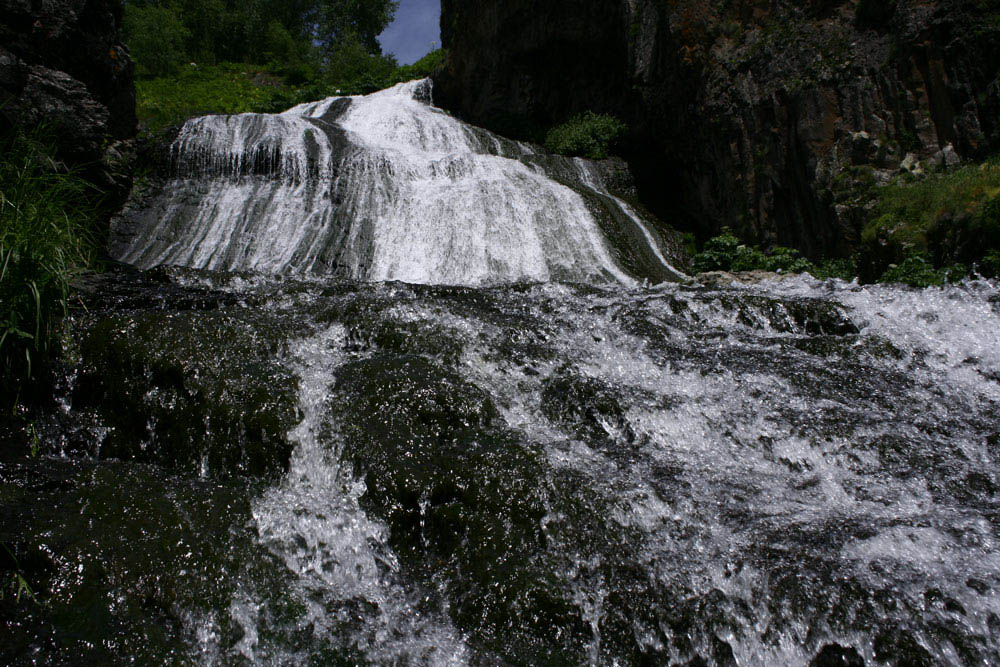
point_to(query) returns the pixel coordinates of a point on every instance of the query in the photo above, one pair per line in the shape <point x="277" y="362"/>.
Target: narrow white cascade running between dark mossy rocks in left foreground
<point x="313" y="522"/>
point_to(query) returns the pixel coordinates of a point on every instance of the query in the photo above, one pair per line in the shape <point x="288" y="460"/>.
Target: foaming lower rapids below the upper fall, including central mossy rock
<point x="749" y="475"/>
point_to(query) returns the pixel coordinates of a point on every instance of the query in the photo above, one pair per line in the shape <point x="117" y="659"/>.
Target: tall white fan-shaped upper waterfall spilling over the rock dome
<point x="375" y="188"/>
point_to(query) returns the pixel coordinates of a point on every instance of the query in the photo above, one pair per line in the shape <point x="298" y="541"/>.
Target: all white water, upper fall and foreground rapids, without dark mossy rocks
<point x="829" y="487"/>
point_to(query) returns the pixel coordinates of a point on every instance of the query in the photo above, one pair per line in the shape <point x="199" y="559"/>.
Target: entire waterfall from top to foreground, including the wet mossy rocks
<point x="392" y="391"/>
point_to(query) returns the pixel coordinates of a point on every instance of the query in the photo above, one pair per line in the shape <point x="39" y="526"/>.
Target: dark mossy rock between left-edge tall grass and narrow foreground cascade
<point x="196" y="391"/>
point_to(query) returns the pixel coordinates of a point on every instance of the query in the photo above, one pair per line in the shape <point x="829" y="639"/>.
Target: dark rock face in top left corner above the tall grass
<point x="63" y="65"/>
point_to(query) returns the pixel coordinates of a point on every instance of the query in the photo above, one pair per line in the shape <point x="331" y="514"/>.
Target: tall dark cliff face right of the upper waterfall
<point x="757" y="115"/>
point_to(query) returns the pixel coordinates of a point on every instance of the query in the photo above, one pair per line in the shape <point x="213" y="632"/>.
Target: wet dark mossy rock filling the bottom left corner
<point x="124" y="559"/>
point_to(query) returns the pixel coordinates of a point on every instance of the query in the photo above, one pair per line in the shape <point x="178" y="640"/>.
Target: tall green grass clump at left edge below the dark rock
<point x="45" y="238"/>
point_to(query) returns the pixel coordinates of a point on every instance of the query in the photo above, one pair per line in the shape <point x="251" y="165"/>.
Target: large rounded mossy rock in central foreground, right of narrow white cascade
<point x="474" y="508"/>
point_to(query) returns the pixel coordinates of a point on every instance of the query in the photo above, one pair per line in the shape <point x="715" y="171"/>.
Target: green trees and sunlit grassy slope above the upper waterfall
<point x="196" y="57"/>
